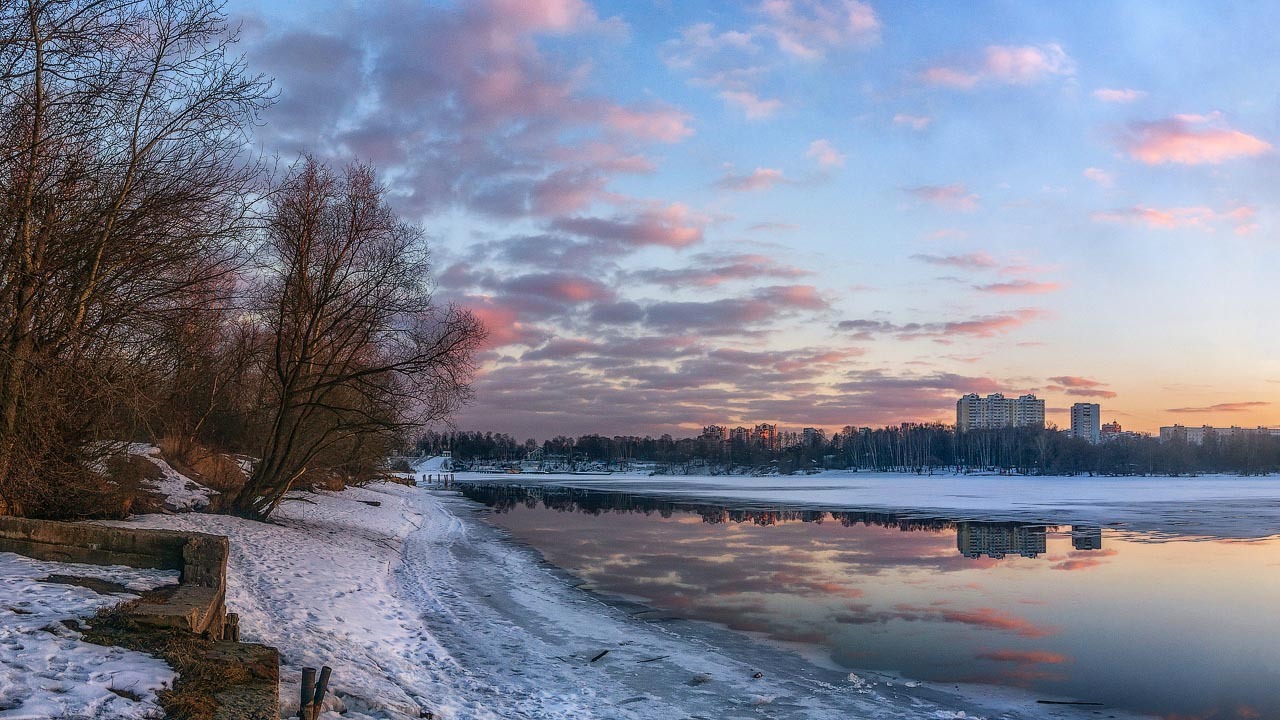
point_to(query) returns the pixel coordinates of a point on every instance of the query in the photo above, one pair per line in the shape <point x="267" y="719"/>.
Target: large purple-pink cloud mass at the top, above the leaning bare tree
<point x="497" y="124"/>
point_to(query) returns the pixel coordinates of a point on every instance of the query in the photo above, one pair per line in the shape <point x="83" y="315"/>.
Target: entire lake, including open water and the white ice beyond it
<point x="1150" y="595"/>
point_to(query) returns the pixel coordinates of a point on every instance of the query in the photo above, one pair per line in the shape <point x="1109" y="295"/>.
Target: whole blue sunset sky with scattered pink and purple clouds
<point x="817" y="212"/>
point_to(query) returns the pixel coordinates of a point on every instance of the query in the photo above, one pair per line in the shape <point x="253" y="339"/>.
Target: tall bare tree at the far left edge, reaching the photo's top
<point x="124" y="184"/>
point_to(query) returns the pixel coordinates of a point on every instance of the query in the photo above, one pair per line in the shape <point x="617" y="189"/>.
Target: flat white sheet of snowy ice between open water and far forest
<point x="1213" y="505"/>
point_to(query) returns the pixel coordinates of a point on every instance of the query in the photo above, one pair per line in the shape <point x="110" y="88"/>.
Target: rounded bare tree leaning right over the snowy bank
<point x="360" y="354"/>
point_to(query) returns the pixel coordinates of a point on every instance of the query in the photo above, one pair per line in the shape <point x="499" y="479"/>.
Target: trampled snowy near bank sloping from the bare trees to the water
<point x="418" y="607"/>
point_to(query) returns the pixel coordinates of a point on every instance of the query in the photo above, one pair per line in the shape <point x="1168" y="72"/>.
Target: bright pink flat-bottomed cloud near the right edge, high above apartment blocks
<point x="1191" y="140"/>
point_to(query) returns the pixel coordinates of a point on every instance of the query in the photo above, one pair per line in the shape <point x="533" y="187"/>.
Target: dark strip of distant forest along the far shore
<point x="908" y="449"/>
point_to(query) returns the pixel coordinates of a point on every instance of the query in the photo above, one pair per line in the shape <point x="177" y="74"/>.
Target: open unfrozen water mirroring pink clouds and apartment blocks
<point x="1181" y="630"/>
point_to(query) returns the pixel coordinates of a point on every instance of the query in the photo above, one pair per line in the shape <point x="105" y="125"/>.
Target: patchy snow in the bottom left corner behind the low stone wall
<point x="47" y="671"/>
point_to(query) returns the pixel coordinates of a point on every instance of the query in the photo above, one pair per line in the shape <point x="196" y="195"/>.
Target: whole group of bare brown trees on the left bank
<point x="162" y="281"/>
